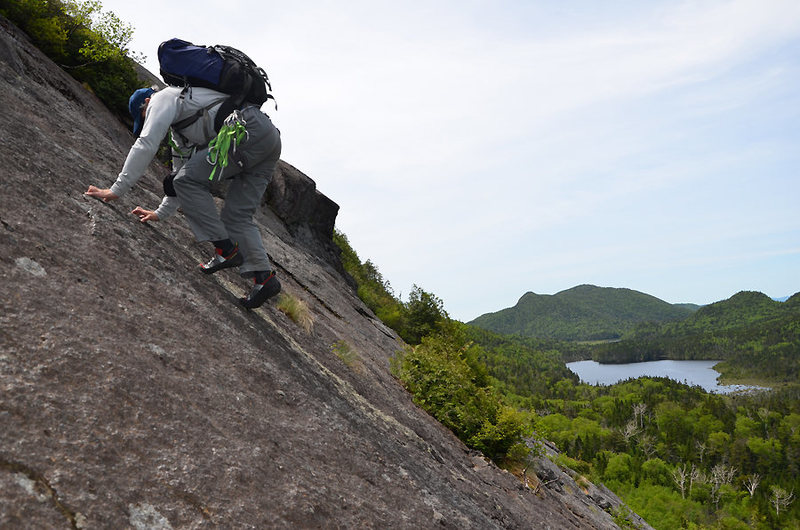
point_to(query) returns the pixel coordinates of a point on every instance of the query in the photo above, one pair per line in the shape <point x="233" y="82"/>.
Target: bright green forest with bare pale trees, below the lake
<point x="680" y="457"/>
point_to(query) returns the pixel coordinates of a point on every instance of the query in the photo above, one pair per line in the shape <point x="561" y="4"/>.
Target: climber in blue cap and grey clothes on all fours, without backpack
<point x="247" y="142"/>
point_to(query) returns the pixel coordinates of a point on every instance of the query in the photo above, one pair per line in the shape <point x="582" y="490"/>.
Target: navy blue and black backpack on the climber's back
<point x="221" y="68"/>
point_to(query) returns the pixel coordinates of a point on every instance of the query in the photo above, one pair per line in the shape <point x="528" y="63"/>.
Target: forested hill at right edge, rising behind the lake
<point x="755" y="336"/>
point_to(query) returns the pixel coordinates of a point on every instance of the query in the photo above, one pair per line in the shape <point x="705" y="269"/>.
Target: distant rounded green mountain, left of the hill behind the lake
<point x="584" y="312"/>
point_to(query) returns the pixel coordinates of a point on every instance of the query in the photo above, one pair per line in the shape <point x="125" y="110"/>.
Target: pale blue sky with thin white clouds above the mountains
<point x="485" y="149"/>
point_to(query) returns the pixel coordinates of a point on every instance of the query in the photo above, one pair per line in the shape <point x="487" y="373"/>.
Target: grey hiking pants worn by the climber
<point x="248" y="172"/>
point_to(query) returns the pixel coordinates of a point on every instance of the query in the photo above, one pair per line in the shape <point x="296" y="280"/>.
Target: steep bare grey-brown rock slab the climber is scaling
<point x="135" y="393"/>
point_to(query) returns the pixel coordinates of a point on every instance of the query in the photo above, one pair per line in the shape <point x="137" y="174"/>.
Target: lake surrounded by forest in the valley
<point x="700" y="373"/>
